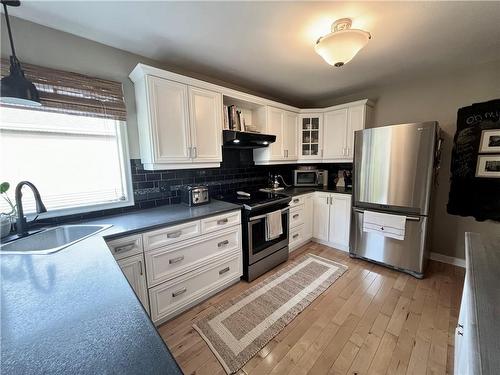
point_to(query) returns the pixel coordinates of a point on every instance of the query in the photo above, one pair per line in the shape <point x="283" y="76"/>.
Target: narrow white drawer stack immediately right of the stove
<point x="300" y="226"/>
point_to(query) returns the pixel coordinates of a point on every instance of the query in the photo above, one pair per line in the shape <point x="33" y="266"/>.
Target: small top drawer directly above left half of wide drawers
<point x="167" y="236"/>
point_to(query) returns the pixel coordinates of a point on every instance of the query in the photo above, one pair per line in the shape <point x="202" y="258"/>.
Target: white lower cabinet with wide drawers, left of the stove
<point x="172" y="268"/>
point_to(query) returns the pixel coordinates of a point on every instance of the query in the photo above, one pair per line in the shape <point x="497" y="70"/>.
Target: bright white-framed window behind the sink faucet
<point x="75" y="155"/>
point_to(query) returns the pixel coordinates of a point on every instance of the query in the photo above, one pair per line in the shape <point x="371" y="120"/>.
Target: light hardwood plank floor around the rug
<point x="372" y="320"/>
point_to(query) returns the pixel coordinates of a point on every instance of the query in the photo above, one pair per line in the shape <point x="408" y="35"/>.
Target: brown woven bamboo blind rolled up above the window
<point x="73" y="93"/>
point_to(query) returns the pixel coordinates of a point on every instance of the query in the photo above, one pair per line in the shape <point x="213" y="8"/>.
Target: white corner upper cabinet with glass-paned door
<point x="310" y="136"/>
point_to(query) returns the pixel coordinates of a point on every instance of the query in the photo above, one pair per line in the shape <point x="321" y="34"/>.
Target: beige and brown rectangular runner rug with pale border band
<point x="238" y="329"/>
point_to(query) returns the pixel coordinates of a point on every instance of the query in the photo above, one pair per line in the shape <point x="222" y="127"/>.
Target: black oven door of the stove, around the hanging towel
<point x="258" y="247"/>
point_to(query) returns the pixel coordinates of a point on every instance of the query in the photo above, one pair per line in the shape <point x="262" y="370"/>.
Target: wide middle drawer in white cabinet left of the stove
<point x="172" y="261"/>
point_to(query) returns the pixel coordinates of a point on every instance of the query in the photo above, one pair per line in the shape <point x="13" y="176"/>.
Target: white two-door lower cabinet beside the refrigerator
<point x="332" y="219"/>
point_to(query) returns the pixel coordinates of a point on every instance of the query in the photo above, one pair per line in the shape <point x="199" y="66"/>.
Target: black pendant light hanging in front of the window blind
<point x="15" y="88"/>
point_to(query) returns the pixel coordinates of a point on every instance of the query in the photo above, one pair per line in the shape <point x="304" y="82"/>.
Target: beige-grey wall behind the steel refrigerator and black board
<point x="438" y="98"/>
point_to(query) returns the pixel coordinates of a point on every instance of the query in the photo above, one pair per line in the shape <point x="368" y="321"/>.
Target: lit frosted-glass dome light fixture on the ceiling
<point x="342" y="44"/>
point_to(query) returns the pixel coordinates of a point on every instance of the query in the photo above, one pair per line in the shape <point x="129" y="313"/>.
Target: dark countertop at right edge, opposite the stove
<point x="482" y="256"/>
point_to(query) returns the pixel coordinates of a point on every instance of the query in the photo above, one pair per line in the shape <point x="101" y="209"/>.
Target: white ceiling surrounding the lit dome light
<point x="268" y="46"/>
